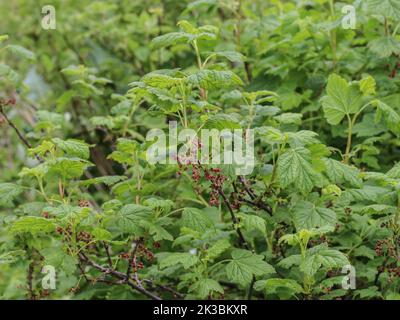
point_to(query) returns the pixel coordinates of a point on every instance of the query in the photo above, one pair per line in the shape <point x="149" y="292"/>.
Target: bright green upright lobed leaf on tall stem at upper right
<point x="342" y="99"/>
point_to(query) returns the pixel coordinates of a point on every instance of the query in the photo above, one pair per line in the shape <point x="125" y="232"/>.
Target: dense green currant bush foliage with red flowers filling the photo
<point x="77" y="192"/>
